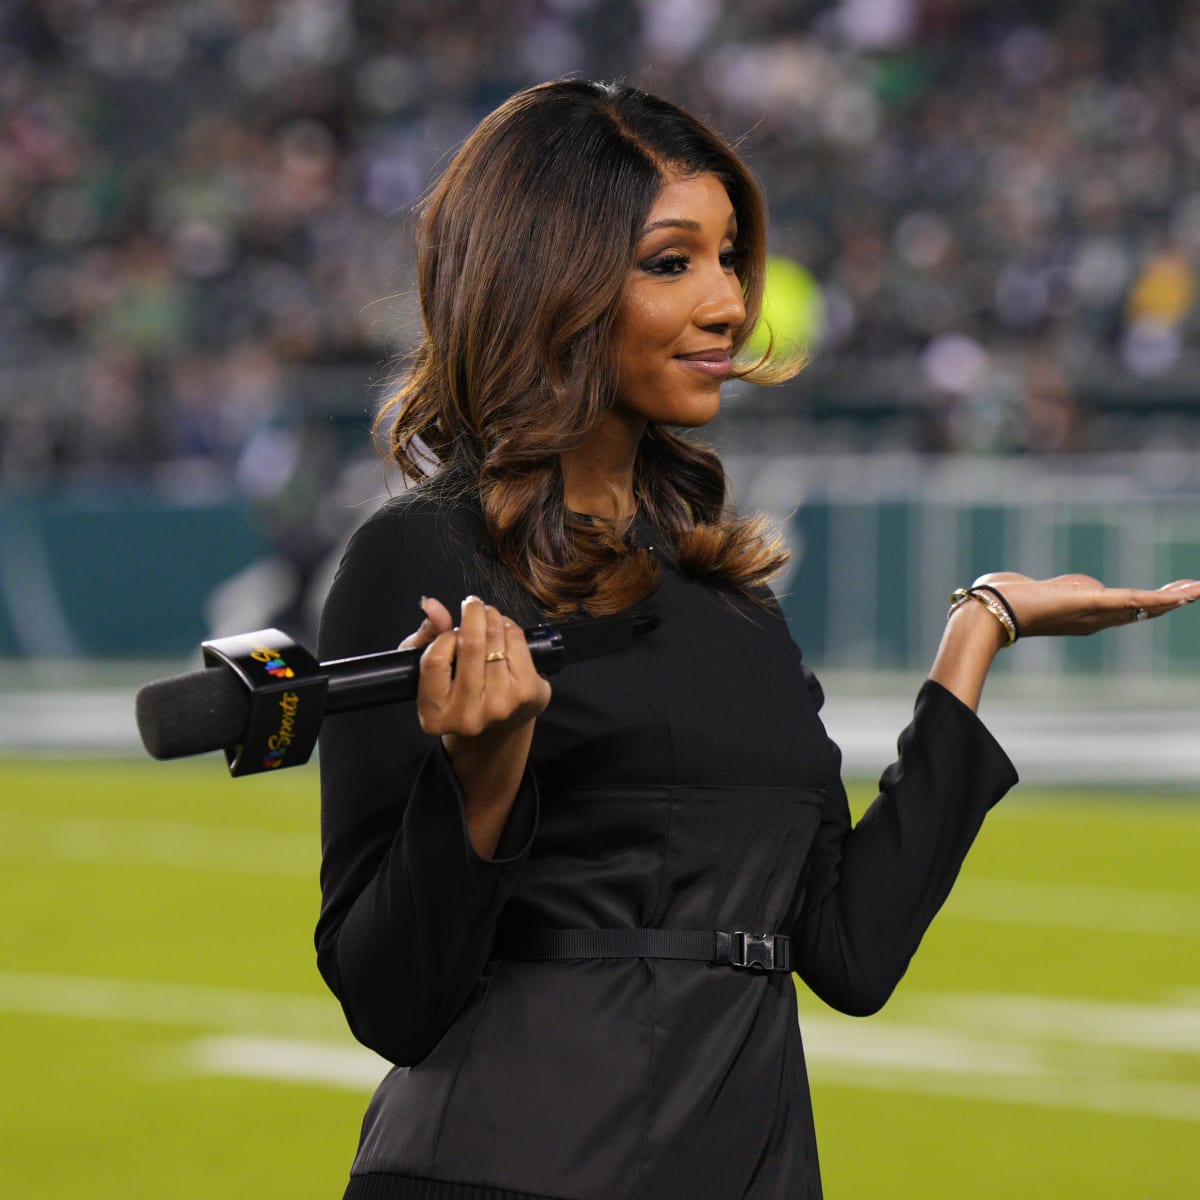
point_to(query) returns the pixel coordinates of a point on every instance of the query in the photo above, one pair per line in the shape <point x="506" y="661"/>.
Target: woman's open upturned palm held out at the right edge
<point x="1076" y="605"/>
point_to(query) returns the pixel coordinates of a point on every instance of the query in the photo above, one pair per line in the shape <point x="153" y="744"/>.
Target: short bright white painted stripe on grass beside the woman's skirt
<point x="287" y="1063"/>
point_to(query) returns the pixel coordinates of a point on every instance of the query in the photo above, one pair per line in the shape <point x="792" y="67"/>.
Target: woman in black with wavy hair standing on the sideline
<point x="591" y="266"/>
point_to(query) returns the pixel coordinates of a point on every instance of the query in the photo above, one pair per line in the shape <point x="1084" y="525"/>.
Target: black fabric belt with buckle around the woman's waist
<point x="730" y="949"/>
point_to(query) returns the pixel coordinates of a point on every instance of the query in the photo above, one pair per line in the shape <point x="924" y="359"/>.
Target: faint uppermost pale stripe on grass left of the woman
<point x="161" y="844"/>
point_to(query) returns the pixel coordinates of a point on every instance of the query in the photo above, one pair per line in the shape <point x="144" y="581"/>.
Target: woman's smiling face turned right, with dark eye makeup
<point x="682" y="307"/>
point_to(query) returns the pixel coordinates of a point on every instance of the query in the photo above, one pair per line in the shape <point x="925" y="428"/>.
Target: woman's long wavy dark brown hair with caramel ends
<point x="524" y="250"/>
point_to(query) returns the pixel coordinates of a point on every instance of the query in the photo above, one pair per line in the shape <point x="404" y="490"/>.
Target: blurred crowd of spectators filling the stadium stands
<point x="993" y="211"/>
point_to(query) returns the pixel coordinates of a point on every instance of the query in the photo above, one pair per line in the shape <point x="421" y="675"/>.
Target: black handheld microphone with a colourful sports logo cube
<point x="261" y="698"/>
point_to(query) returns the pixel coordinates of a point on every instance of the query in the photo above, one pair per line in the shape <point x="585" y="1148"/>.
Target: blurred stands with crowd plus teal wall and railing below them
<point x="986" y="223"/>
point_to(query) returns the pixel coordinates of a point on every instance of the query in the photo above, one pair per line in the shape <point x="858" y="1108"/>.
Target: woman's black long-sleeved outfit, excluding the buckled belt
<point x="686" y="784"/>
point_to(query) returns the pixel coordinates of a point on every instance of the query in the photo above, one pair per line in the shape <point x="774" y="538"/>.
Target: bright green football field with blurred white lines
<point x="164" y="1031"/>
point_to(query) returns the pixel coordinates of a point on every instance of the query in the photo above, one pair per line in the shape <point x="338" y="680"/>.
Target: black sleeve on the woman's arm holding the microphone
<point x="409" y="909"/>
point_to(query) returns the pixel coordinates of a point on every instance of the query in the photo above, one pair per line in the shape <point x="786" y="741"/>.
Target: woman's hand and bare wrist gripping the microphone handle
<point x="481" y="693"/>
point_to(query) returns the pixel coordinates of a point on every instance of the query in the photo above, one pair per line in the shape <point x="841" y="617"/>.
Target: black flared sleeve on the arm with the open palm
<point x="872" y="891"/>
